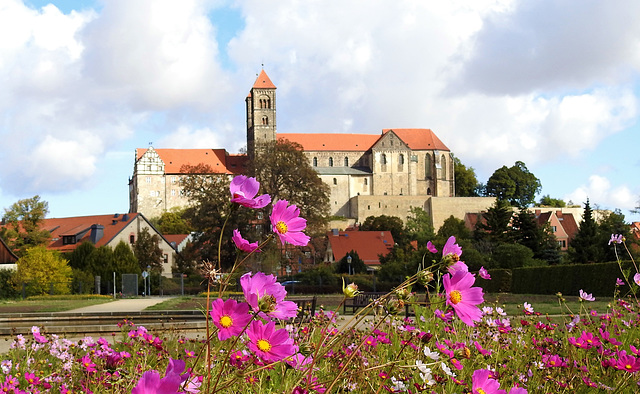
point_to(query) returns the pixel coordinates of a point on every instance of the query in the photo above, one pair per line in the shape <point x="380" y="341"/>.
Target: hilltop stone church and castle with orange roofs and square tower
<point x="368" y="174"/>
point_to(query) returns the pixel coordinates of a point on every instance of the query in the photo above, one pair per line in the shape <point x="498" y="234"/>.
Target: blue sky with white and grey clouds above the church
<point x="554" y="84"/>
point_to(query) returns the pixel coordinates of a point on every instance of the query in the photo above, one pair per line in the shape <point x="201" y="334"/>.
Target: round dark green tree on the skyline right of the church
<point x="516" y="185"/>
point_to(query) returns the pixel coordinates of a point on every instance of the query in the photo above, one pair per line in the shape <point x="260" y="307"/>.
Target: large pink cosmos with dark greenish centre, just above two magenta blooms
<point x="264" y="294"/>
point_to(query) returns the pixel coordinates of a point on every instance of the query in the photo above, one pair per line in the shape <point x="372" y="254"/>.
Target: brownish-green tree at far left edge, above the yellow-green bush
<point x="22" y="225"/>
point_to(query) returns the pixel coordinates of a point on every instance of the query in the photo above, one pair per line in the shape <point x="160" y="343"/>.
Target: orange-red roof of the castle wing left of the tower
<point x="217" y="159"/>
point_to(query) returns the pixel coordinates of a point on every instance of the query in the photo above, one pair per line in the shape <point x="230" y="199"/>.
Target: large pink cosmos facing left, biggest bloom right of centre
<point x="462" y="297"/>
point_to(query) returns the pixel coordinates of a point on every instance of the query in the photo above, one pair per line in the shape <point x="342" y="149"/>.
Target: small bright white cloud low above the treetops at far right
<point x="600" y="192"/>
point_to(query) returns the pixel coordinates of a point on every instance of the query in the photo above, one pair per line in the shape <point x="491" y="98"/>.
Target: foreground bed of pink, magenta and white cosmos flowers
<point x="456" y="343"/>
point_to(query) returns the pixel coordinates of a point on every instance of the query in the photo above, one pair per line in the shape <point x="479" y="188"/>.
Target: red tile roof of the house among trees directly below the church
<point x="368" y="244"/>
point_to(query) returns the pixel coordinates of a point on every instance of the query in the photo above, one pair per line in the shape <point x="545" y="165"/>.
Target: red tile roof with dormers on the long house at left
<point x="80" y="226"/>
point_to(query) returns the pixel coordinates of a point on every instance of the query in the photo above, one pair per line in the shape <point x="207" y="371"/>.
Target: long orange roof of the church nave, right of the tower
<point x="332" y="142"/>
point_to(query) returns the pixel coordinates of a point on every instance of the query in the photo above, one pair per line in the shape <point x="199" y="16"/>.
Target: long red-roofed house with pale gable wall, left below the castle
<point x="104" y="230"/>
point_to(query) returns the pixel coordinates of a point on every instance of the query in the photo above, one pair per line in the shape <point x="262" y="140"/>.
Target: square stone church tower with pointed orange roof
<point x="261" y="113"/>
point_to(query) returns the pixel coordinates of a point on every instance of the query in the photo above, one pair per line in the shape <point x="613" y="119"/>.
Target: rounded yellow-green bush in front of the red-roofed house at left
<point x="43" y="271"/>
